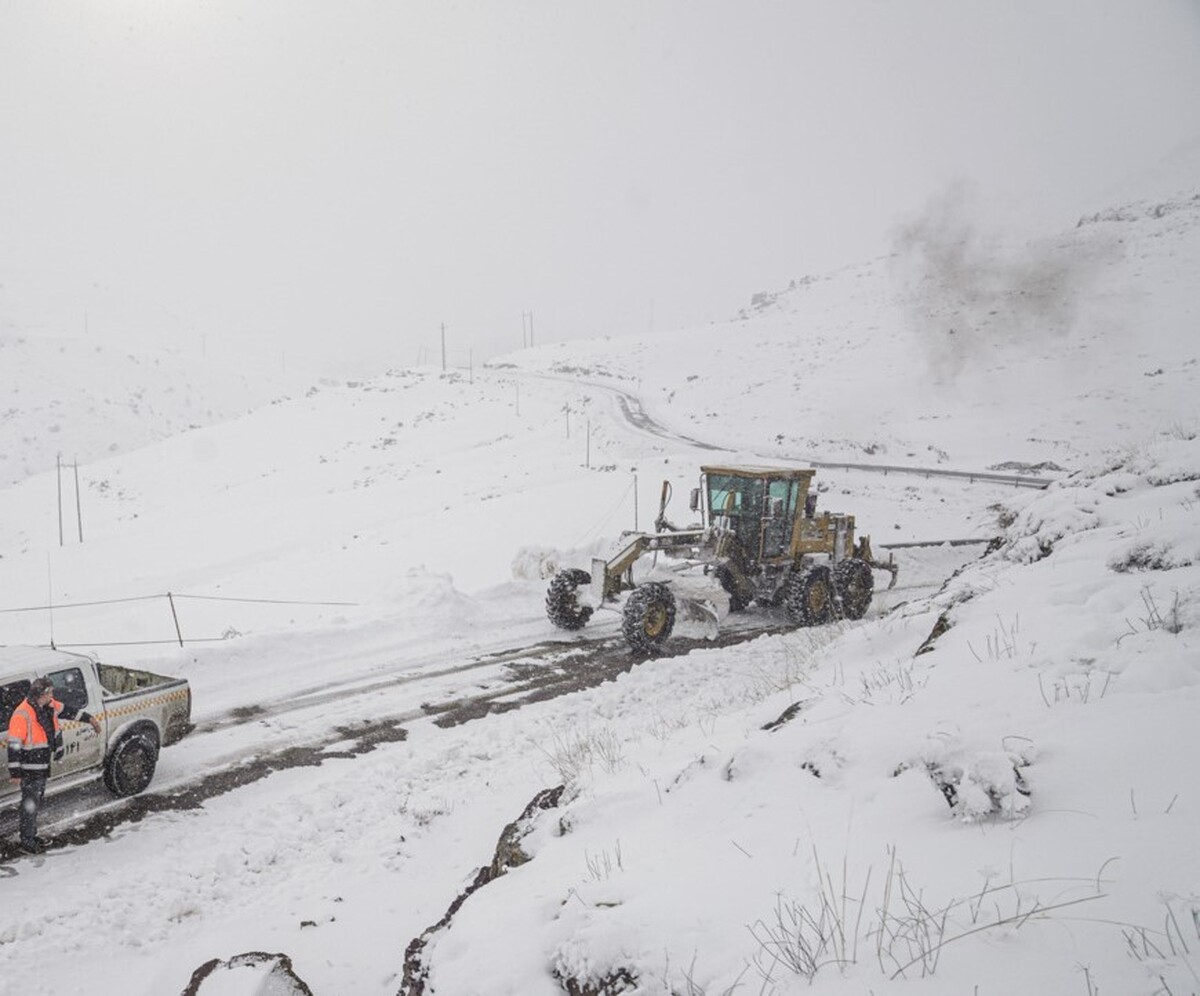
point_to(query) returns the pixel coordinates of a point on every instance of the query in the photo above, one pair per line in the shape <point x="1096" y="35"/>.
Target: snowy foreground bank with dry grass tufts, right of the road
<point x="988" y="788"/>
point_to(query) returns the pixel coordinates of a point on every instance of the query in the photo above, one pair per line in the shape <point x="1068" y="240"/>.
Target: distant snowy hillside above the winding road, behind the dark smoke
<point x="964" y="349"/>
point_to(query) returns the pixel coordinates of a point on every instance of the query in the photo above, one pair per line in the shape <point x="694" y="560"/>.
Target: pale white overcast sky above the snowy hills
<point x="344" y="177"/>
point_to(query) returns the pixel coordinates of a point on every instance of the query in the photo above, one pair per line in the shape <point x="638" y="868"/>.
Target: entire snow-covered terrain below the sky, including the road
<point x="406" y="781"/>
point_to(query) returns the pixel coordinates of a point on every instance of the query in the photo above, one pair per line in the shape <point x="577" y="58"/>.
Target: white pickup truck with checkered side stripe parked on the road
<point x="140" y="713"/>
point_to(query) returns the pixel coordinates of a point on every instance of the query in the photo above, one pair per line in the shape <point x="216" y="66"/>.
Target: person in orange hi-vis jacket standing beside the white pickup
<point x="34" y="737"/>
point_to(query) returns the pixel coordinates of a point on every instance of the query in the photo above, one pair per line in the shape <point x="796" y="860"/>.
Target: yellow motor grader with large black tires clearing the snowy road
<point x="761" y="541"/>
